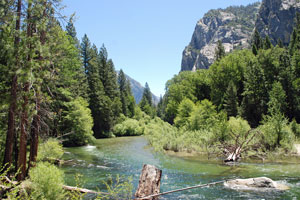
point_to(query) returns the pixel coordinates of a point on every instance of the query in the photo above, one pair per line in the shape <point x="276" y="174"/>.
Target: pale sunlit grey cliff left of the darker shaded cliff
<point x="233" y="26"/>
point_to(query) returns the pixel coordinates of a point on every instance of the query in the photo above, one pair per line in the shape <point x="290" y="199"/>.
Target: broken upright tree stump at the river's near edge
<point x="149" y="182"/>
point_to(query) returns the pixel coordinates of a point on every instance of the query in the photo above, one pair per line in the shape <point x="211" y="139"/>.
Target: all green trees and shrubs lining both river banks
<point x="54" y="86"/>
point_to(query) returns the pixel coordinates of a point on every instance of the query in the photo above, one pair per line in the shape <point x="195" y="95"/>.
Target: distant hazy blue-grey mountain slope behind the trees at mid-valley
<point x="137" y="90"/>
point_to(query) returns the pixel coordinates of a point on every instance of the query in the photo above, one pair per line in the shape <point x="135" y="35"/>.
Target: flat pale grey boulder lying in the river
<point x="258" y="184"/>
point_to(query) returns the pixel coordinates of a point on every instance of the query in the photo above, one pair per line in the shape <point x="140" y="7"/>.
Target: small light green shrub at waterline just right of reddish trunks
<point x="50" y="150"/>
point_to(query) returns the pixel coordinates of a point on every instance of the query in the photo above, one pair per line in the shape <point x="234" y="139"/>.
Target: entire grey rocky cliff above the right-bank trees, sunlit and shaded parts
<point x="234" y="27"/>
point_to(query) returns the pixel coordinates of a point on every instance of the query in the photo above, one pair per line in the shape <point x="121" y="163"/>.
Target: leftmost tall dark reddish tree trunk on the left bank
<point x="13" y="97"/>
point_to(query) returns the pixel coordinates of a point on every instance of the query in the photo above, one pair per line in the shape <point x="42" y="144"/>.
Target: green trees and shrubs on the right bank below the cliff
<point x="247" y="98"/>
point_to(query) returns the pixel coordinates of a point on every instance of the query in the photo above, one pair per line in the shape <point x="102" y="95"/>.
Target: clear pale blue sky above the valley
<point x="145" y="38"/>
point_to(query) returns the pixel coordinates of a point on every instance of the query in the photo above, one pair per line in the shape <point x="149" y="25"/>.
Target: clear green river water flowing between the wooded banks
<point x="125" y="157"/>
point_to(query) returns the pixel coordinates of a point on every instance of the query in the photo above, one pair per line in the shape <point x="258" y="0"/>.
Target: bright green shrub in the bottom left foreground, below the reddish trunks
<point x="47" y="181"/>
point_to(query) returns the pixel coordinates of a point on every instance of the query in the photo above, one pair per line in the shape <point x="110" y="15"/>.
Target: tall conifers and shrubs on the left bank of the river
<point x="52" y="86"/>
